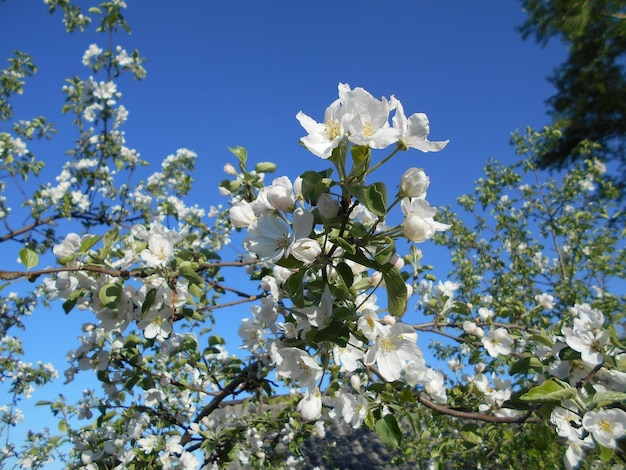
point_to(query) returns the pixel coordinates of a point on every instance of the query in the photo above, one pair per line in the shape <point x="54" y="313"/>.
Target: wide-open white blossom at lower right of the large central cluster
<point x="393" y="349"/>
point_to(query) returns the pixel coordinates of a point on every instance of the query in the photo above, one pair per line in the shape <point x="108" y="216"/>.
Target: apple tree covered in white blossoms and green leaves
<point x="534" y="345"/>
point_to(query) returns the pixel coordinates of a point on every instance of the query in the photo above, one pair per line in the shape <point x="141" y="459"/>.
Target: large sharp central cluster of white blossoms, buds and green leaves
<point x="302" y="229"/>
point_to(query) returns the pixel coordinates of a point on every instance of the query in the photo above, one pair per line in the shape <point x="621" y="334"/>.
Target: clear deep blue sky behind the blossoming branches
<point x="236" y="73"/>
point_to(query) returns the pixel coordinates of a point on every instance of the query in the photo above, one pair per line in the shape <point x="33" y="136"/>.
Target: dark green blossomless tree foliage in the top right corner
<point x="590" y="99"/>
